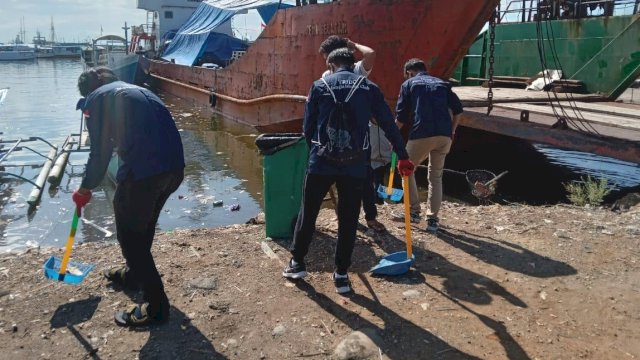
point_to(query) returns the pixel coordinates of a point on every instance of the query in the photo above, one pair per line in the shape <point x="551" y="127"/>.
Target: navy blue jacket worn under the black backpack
<point x="367" y="102"/>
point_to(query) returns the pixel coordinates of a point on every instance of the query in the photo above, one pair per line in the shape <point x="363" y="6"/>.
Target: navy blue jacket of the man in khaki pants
<point x="428" y="99"/>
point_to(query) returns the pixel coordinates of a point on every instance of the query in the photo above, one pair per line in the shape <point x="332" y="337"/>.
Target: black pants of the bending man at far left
<point x="137" y="206"/>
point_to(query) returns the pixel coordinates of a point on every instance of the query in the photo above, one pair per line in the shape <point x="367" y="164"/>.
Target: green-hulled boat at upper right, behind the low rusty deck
<point x="595" y="45"/>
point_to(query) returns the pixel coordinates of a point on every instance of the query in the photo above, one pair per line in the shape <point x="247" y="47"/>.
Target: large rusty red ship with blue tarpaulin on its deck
<point x="266" y="85"/>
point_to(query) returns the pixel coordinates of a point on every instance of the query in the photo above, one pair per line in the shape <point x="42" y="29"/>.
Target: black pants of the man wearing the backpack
<point x="349" y="198"/>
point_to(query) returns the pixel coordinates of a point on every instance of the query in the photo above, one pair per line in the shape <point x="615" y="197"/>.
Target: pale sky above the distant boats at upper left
<point x="74" y="20"/>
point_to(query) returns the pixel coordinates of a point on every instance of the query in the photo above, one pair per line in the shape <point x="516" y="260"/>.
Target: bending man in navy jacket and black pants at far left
<point x="135" y="122"/>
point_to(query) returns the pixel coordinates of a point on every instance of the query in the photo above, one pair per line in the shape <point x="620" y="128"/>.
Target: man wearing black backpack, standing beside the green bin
<point x="336" y="127"/>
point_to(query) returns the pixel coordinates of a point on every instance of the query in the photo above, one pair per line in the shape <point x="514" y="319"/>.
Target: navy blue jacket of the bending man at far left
<point x="136" y="122"/>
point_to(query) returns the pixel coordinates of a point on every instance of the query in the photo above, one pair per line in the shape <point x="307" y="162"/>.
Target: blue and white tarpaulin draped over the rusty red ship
<point x="193" y="38"/>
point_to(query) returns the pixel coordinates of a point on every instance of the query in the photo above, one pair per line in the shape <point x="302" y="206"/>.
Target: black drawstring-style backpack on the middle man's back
<point x="346" y="144"/>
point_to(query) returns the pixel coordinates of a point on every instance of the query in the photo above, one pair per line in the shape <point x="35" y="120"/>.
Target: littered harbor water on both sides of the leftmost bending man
<point x="222" y="163"/>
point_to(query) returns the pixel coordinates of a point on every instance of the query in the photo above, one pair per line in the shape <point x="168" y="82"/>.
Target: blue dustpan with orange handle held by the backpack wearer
<point x="398" y="263"/>
